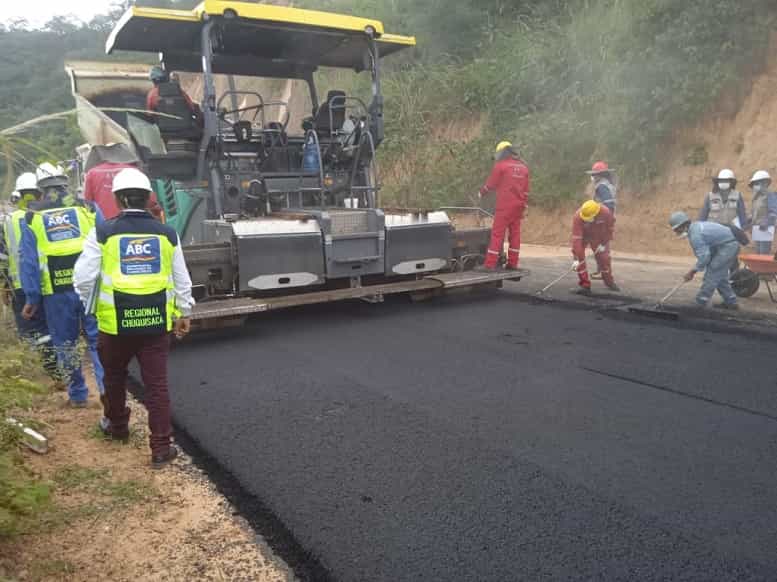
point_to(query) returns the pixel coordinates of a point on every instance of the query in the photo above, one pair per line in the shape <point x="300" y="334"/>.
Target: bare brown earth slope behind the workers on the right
<point x="743" y="140"/>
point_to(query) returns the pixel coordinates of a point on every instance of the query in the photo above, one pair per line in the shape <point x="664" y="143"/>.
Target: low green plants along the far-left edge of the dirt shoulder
<point x="21" y="493"/>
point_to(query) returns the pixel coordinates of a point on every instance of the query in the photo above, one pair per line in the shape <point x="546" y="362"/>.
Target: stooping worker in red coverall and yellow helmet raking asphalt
<point x="594" y="227"/>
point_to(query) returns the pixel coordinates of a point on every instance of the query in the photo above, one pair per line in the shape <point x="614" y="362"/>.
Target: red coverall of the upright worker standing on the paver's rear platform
<point x="510" y="180"/>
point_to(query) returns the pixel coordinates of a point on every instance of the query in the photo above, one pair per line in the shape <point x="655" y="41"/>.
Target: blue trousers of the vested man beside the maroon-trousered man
<point x="66" y="319"/>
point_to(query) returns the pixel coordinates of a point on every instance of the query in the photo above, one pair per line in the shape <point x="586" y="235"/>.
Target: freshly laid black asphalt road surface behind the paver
<point x="491" y="439"/>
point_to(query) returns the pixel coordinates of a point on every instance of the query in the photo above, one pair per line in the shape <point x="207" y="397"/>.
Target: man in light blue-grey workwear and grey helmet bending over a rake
<point x="715" y="247"/>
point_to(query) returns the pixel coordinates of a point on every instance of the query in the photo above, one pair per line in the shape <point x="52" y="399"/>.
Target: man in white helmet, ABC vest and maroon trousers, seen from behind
<point x="133" y="270"/>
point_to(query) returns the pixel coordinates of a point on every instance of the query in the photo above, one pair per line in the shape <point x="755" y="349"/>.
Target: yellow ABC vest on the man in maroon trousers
<point x="137" y="290"/>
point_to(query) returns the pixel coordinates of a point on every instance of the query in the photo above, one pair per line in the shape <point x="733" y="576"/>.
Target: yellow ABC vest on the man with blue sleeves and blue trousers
<point x="60" y="234"/>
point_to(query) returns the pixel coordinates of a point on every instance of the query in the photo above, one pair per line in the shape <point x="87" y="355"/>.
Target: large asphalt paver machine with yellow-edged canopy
<point x="273" y="211"/>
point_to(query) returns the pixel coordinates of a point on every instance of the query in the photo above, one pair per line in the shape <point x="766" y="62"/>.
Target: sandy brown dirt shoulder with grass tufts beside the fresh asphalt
<point x="113" y="518"/>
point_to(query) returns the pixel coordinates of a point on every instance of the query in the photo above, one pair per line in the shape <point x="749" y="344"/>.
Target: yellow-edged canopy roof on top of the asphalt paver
<point x="254" y="39"/>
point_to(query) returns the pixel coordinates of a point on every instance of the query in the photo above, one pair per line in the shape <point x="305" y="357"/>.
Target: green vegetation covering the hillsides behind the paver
<point x="568" y="81"/>
